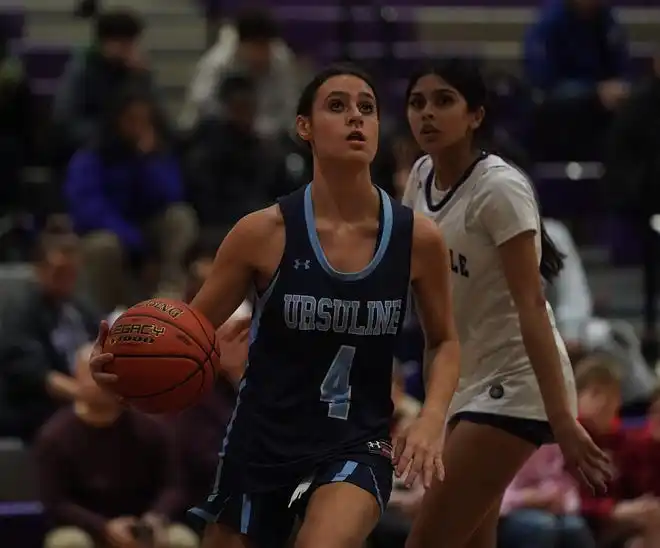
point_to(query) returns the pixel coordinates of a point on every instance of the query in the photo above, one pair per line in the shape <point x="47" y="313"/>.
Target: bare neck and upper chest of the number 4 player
<point x="345" y="194"/>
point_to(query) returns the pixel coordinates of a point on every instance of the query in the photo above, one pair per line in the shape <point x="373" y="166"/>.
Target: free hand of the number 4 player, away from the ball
<point x="418" y="450"/>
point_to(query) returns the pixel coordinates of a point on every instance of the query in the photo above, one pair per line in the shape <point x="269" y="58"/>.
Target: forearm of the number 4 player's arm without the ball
<point x="442" y="371"/>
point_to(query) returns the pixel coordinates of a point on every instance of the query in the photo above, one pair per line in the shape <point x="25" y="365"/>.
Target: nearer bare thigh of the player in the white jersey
<point x="480" y="461"/>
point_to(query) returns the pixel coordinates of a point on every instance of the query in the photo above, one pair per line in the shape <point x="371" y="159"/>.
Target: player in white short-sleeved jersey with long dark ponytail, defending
<point x="516" y="390"/>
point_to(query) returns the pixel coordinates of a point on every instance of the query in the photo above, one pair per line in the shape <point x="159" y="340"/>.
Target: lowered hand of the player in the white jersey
<point x="584" y="459"/>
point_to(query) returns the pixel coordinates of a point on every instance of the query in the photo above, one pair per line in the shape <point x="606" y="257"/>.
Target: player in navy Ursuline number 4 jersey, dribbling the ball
<point x="332" y="264"/>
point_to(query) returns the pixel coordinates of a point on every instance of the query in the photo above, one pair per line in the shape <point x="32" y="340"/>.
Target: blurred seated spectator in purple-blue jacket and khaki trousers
<point x="125" y="196"/>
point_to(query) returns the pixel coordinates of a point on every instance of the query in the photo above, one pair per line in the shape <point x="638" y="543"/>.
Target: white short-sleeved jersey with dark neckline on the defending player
<point x="491" y="204"/>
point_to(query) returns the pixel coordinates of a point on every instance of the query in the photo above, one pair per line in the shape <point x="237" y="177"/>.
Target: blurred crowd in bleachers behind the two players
<point x="108" y="195"/>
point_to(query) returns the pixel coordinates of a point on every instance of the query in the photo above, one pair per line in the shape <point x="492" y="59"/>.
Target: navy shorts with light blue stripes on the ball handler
<point x="268" y="517"/>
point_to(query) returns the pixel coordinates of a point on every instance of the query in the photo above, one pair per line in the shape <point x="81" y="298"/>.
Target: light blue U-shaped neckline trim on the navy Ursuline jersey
<point x="318" y="250"/>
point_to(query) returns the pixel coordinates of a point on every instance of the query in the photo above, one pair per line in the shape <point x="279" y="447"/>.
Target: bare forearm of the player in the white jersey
<point x="541" y="346"/>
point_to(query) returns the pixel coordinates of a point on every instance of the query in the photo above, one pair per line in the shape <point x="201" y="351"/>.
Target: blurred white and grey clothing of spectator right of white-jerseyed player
<point x="584" y="333"/>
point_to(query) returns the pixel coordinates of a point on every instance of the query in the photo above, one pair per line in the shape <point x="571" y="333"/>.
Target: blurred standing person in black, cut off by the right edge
<point x="633" y="183"/>
